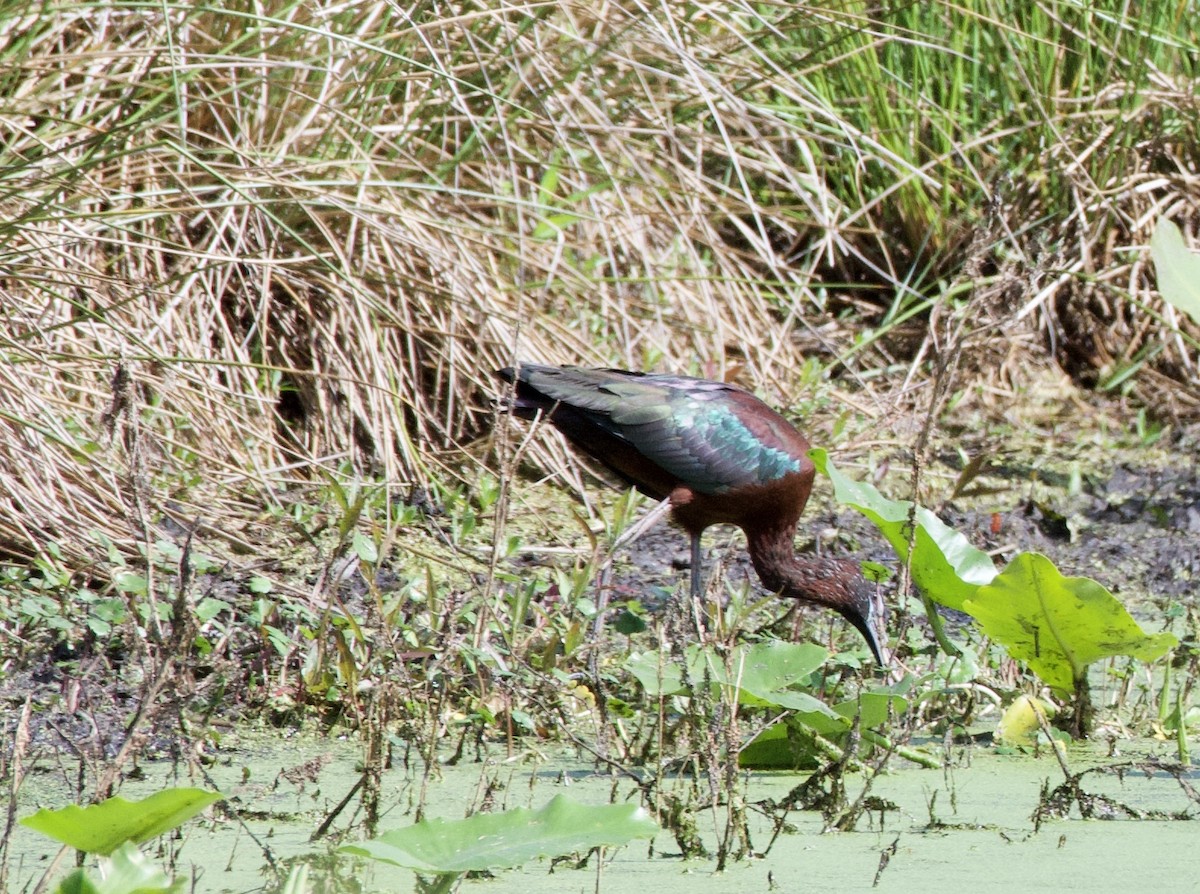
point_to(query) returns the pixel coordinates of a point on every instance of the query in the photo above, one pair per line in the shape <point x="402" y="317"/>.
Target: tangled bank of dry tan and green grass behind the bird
<point x="243" y="245"/>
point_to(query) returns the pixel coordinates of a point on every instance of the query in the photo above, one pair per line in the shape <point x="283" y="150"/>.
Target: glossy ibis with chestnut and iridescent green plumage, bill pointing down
<point x="719" y="454"/>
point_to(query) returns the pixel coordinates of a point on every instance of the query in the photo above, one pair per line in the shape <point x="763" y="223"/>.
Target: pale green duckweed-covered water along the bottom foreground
<point x="964" y="829"/>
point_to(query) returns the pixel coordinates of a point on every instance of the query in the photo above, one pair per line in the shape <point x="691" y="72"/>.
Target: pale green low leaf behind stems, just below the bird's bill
<point x="764" y="674"/>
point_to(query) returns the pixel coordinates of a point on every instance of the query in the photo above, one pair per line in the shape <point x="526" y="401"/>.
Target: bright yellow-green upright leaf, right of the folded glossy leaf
<point x="1059" y="626"/>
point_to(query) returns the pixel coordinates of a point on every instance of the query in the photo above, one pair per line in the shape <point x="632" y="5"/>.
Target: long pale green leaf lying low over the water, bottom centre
<point x="509" y="839"/>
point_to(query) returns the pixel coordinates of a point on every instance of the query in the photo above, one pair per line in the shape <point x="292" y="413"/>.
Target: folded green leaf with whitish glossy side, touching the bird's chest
<point x="945" y="566"/>
